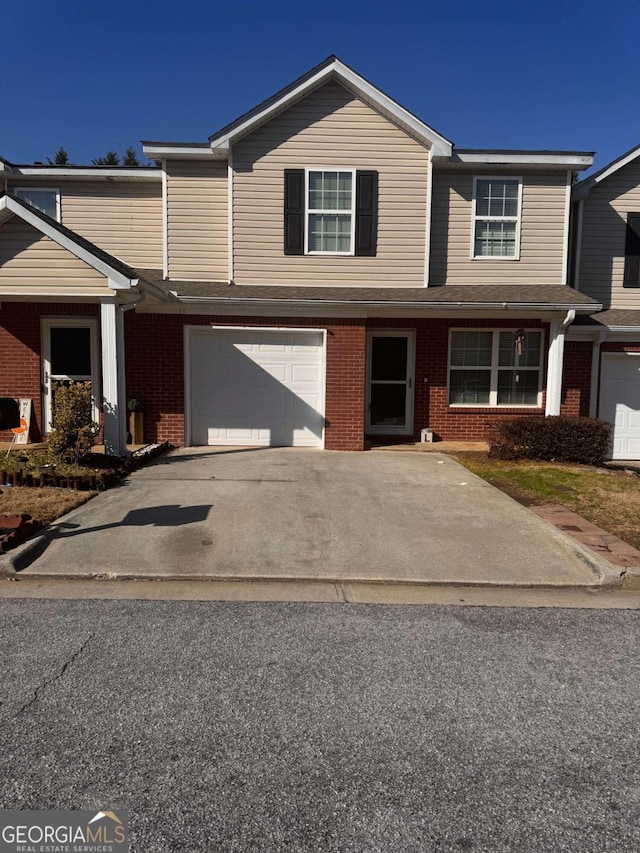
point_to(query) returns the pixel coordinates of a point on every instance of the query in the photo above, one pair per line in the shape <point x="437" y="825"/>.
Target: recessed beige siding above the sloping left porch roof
<point x="122" y="218"/>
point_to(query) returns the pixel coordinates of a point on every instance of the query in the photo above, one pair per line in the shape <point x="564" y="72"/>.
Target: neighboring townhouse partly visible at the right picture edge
<point x="606" y="266"/>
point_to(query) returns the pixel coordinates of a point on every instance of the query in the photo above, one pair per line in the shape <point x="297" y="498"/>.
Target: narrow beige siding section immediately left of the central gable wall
<point x="197" y="214"/>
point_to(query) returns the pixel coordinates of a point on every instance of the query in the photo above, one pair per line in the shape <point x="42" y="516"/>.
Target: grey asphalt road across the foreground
<point x="323" y="727"/>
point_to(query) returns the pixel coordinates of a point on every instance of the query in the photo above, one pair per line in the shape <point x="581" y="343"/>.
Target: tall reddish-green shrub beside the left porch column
<point x="74" y="430"/>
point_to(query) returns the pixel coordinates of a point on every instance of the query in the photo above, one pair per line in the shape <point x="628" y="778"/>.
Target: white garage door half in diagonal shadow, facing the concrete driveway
<point x="256" y="387"/>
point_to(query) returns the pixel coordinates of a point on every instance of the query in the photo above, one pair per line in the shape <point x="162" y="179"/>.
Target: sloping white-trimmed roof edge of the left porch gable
<point x="120" y="275"/>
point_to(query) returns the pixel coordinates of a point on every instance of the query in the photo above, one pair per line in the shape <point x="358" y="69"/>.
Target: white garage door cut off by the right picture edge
<point x="620" y="402"/>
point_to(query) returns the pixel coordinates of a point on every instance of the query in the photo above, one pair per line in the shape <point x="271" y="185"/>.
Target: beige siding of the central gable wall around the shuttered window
<point x="329" y="128"/>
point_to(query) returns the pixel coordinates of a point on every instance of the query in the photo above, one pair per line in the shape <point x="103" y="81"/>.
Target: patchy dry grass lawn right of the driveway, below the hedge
<point x="610" y="499"/>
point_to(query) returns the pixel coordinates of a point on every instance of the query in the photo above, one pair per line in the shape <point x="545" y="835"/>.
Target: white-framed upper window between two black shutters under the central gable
<point x="330" y="212"/>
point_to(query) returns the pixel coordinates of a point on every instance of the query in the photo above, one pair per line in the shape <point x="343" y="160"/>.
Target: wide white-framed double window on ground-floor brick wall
<point x="495" y="367"/>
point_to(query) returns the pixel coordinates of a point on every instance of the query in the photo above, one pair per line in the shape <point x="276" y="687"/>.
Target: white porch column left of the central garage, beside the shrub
<point x="113" y="385"/>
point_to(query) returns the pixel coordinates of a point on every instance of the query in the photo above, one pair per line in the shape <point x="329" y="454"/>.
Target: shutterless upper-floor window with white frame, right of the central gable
<point x="496" y="218"/>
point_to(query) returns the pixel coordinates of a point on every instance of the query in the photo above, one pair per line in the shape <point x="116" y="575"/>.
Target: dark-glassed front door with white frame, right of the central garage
<point x="390" y="369"/>
